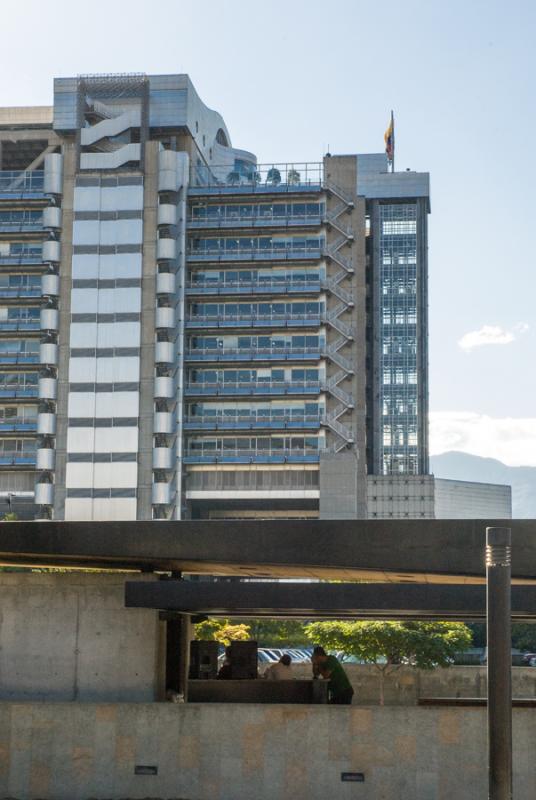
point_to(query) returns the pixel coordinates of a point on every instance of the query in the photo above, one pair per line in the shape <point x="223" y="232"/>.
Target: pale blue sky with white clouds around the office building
<point x="294" y="77"/>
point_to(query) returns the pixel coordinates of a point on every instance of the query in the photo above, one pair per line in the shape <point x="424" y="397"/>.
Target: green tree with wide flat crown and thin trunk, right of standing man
<point x="390" y="645"/>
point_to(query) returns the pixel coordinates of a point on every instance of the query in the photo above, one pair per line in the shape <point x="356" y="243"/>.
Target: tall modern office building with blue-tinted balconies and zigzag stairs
<point x="188" y="333"/>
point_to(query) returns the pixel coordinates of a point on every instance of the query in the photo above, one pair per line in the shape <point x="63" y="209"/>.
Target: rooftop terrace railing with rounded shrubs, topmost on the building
<point x="256" y="178"/>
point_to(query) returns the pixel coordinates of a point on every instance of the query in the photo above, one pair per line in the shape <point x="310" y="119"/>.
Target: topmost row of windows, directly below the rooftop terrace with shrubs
<point x="199" y="212"/>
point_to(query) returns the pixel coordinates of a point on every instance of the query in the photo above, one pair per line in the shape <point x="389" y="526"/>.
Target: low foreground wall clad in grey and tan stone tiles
<point x="74" y="751"/>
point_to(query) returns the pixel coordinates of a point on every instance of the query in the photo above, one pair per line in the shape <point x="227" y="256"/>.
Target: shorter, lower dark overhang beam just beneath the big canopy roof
<point x="323" y="600"/>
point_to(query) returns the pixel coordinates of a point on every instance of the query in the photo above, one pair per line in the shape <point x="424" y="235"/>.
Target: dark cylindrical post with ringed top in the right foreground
<point x="499" y="666"/>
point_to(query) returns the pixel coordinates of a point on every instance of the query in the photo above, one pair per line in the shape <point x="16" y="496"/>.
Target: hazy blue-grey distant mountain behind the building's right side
<point x="465" y="467"/>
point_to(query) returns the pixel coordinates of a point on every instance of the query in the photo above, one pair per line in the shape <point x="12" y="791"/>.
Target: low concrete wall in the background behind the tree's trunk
<point x="406" y="685"/>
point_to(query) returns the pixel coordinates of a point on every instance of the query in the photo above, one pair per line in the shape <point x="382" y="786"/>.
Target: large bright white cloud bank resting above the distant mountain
<point x="510" y="440"/>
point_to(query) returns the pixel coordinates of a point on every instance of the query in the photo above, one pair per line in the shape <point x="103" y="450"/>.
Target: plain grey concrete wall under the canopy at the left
<point x="69" y="637"/>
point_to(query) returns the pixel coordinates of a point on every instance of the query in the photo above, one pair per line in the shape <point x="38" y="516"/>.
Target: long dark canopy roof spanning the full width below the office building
<point x="399" y="551"/>
